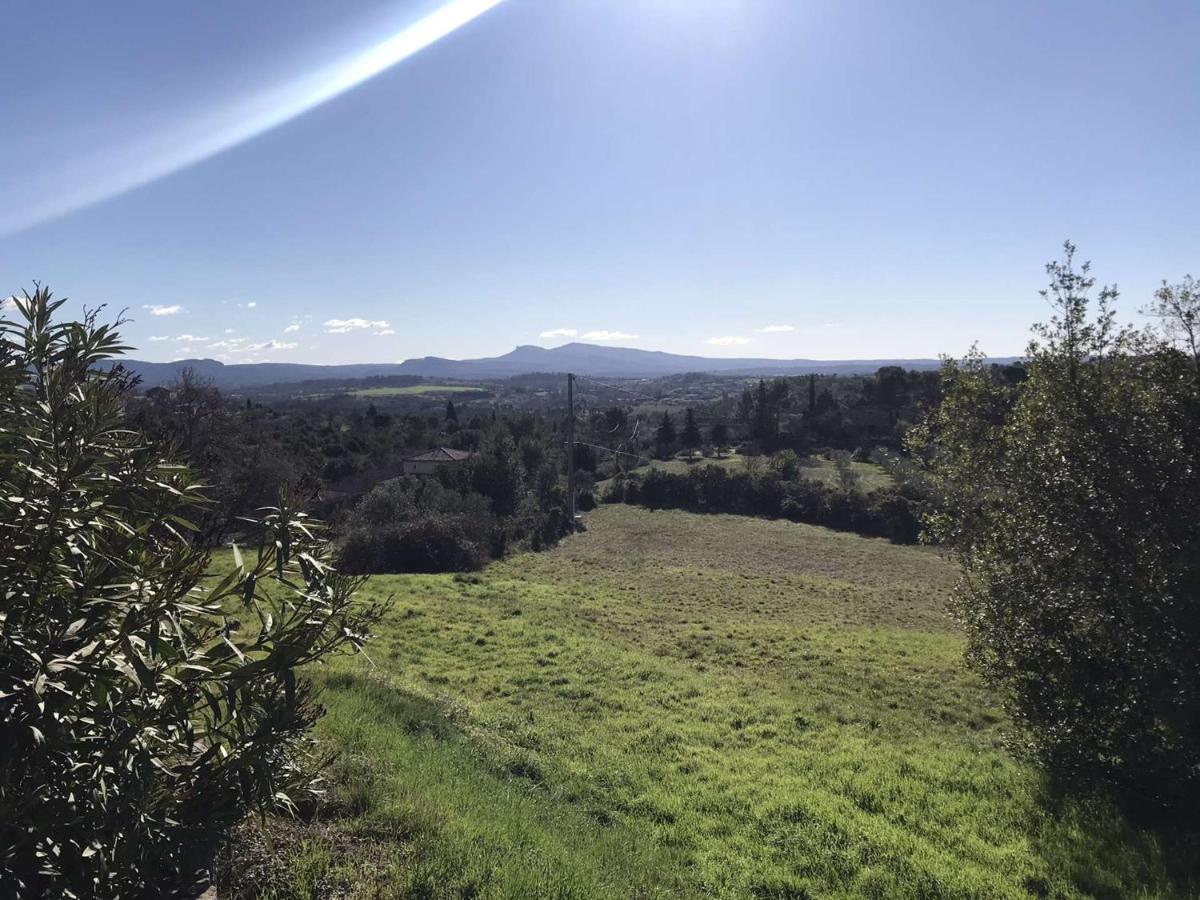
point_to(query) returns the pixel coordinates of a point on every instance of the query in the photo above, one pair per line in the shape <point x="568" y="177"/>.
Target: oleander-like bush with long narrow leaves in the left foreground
<point x="146" y="704"/>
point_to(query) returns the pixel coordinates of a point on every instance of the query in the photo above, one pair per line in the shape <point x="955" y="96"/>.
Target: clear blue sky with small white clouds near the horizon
<point x="824" y="179"/>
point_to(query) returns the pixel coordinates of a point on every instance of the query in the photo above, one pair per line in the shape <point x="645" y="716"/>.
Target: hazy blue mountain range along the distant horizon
<point x="580" y="358"/>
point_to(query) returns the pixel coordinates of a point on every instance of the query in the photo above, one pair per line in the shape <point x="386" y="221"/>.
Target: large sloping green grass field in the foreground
<point x="681" y="706"/>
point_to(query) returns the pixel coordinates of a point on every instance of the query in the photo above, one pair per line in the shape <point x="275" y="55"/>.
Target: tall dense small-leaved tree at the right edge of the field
<point x="1070" y="499"/>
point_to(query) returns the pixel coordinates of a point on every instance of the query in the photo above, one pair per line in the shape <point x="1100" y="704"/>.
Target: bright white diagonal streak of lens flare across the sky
<point x="111" y="173"/>
